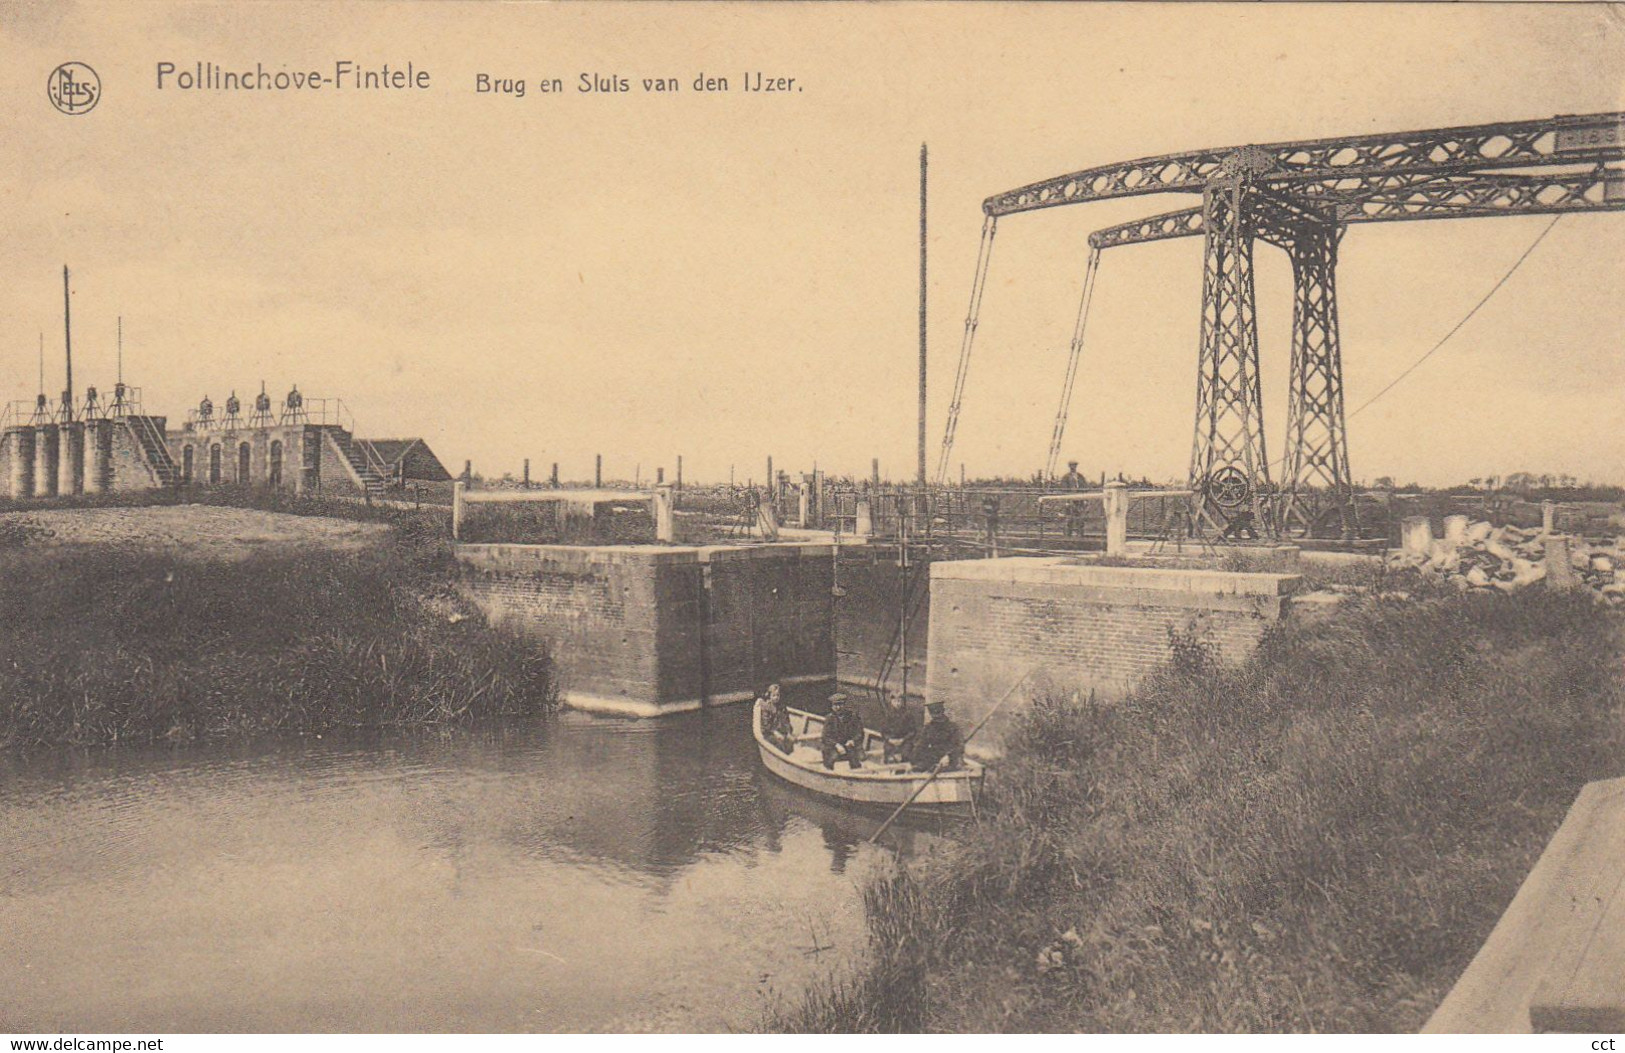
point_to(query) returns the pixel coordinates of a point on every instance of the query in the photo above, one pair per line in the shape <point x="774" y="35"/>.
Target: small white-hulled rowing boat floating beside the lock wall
<point x="875" y="784"/>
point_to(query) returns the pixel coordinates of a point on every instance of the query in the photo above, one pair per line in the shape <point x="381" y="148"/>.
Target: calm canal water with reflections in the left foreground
<point x="568" y="875"/>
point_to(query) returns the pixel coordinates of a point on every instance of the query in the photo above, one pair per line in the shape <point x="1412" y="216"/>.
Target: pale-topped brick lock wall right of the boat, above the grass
<point x="1080" y="628"/>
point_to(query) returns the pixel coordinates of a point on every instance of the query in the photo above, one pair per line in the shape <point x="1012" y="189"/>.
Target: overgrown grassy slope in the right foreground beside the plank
<point x="1319" y="841"/>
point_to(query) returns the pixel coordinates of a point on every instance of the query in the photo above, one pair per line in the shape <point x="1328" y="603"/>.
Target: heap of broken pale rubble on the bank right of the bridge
<point x="1507" y="558"/>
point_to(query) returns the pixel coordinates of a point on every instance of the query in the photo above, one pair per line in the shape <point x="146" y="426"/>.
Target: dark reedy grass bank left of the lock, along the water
<point x="106" y="644"/>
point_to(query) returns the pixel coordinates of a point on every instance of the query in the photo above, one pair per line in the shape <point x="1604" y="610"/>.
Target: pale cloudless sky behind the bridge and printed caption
<point x="734" y="277"/>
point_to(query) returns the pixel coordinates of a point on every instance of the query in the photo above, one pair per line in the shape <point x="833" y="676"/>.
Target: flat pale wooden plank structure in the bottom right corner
<point x="1556" y="961"/>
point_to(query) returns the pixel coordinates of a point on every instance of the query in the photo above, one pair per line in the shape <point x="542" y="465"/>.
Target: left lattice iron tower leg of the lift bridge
<point x="1229" y="466"/>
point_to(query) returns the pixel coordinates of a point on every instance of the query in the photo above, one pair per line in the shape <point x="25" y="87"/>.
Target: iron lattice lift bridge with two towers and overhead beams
<point x="1301" y="197"/>
